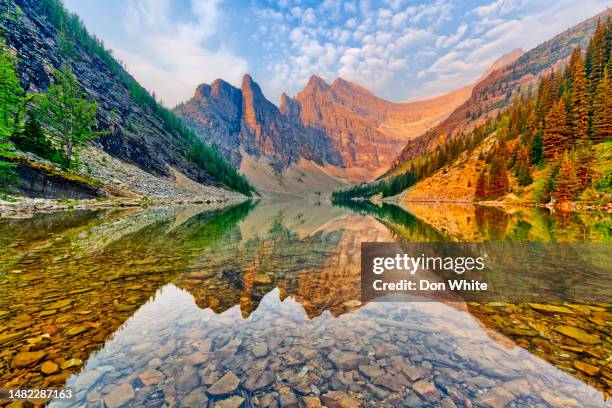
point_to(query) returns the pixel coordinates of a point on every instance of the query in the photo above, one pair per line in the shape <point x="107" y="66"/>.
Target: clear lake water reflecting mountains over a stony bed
<point x="154" y="306"/>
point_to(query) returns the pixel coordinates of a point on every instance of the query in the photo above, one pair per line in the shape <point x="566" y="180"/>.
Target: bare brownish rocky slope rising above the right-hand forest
<point x="505" y="80"/>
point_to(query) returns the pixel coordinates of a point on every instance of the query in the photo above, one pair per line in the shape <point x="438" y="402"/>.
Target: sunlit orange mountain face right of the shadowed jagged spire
<point x="366" y="130"/>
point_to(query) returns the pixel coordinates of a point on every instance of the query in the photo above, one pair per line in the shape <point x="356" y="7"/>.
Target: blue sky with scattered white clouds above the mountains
<point x="401" y="50"/>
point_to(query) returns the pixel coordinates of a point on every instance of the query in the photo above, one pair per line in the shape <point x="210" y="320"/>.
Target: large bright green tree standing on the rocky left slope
<point x="69" y="114"/>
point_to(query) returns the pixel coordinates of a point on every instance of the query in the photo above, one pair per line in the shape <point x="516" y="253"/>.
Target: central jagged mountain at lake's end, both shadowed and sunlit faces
<point x="342" y="128"/>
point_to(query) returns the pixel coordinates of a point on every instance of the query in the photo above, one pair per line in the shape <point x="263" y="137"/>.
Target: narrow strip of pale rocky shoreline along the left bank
<point x="31" y="206"/>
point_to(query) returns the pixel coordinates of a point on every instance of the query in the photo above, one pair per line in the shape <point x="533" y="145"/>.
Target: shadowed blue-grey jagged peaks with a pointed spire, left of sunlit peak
<point x="236" y="119"/>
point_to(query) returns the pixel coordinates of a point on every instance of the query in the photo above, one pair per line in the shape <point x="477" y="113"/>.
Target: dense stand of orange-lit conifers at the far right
<point x="549" y="141"/>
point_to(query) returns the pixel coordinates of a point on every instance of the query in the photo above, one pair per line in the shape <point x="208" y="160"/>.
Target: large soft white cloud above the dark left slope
<point x="170" y="58"/>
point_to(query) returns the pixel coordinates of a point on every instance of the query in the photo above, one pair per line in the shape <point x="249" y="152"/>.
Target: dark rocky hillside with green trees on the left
<point x="88" y="96"/>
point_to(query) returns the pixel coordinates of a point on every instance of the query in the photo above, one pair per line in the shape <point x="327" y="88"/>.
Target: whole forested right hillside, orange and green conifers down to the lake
<point x="551" y="145"/>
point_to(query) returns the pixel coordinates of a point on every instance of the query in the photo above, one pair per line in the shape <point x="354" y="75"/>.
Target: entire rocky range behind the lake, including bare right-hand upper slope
<point x="329" y="136"/>
